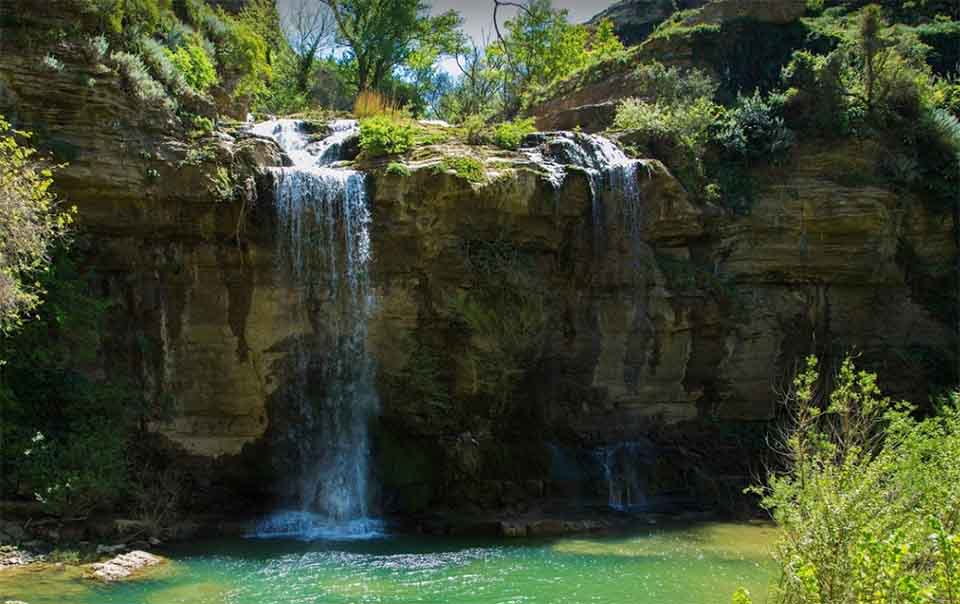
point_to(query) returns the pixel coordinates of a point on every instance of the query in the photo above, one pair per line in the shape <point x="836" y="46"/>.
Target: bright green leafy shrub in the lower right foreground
<point x="868" y="502"/>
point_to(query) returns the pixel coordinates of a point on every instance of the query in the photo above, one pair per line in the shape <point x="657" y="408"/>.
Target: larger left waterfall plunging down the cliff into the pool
<point x="323" y="239"/>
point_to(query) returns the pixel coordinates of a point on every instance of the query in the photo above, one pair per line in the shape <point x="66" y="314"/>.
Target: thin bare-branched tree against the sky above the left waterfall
<point x="309" y="27"/>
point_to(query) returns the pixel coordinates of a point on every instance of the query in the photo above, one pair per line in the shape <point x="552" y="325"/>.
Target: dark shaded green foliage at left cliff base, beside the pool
<point x="65" y="431"/>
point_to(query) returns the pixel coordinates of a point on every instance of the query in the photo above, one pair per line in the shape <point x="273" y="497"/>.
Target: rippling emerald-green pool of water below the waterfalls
<point x="693" y="565"/>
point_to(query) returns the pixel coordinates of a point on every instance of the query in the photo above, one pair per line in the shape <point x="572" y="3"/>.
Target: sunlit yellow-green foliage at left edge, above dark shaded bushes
<point x="31" y="222"/>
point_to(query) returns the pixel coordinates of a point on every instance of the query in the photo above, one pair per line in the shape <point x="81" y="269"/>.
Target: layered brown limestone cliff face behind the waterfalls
<point x="511" y="315"/>
